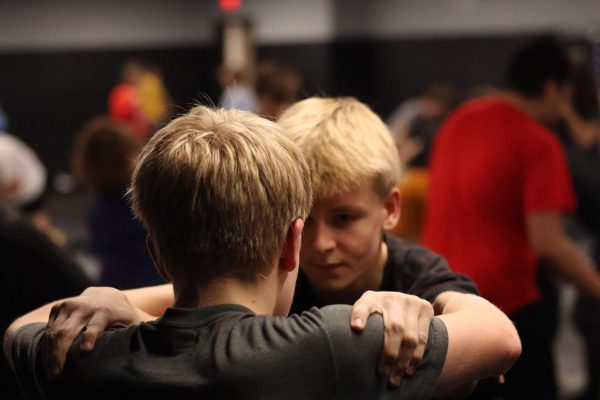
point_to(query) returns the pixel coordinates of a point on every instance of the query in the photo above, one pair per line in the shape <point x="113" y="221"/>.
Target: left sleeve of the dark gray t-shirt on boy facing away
<point x="25" y="361"/>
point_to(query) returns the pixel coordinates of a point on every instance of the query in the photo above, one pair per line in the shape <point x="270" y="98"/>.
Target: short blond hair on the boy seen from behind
<point x="218" y="191"/>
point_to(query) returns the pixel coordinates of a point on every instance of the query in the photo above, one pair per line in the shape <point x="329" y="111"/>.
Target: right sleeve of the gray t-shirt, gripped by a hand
<point x="356" y="356"/>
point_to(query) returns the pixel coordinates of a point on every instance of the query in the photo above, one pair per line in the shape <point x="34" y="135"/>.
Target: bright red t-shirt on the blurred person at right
<point x="491" y="165"/>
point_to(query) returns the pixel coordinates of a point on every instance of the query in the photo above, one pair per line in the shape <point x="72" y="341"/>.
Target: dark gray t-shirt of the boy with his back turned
<point x="226" y="351"/>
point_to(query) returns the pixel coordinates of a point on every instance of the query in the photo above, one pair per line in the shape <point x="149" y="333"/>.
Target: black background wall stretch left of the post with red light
<point x="48" y="96"/>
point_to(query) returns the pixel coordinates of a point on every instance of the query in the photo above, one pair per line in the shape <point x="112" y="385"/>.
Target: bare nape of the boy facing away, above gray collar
<point x="258" y="296"/>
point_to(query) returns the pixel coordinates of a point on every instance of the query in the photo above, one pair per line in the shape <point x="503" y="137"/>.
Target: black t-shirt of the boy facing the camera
<point x="409" y="269"/>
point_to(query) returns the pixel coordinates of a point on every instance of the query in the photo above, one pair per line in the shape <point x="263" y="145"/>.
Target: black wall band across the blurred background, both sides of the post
<point x="49" y="95"/>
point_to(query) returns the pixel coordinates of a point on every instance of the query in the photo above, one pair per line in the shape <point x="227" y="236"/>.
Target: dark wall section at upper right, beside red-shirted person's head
<point x="406" y="67"/>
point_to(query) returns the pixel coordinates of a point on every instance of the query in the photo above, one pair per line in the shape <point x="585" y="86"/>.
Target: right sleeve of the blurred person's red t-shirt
<point x="547" y="184"/>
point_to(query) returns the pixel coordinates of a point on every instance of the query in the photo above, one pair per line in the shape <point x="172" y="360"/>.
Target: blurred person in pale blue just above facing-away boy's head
<point x="236" y="93"/>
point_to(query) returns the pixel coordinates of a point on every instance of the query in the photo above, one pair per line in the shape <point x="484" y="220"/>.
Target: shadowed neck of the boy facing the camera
<point x="370" y="280"/>
